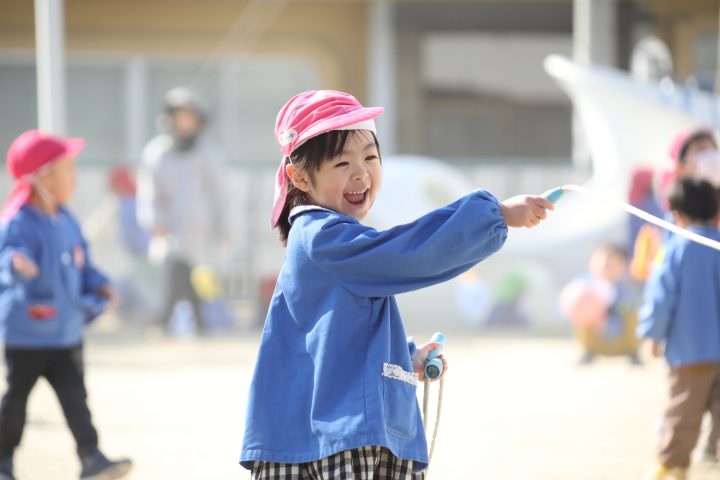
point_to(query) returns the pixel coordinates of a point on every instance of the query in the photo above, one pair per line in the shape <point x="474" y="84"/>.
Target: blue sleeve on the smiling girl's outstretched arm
<point x="430" y="250"/>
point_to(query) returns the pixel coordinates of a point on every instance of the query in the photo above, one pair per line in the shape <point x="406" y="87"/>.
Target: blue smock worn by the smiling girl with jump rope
<point x="334" y="369"/>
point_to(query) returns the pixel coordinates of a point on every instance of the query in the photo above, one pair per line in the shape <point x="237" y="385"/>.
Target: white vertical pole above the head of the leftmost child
<point x="50" y="61"/>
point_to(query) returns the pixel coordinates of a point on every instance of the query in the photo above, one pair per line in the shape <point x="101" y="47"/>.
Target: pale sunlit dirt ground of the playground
<point x="513" y="408"/>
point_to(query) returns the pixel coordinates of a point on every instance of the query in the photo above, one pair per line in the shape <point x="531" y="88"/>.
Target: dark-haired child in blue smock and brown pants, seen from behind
<point x="681" y="310"/>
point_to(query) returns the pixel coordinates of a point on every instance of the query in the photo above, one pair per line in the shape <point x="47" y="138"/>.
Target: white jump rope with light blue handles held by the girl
<point x="434" y="366"/>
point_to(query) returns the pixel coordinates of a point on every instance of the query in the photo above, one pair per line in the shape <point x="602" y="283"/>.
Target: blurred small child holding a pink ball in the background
<point x="601" y="306"/>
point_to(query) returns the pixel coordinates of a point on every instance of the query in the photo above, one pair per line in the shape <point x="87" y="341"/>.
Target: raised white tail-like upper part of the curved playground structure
<point x="628" y="123"/>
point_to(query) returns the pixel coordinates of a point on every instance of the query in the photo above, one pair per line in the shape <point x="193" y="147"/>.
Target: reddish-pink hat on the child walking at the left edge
<point x="27" y="156"/>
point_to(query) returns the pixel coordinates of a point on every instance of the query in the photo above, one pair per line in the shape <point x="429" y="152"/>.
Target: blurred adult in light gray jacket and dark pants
<point x="182" y="197"/>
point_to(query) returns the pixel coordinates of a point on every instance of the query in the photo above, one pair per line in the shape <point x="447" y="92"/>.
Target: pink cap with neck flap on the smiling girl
<point x="307" y="115"/>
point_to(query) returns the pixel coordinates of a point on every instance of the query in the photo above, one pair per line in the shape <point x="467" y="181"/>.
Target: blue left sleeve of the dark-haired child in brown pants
<point x="660" y="298"/>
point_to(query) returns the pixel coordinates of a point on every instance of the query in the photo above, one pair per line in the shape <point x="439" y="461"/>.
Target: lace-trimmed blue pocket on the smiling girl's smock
<point x="400" y="401"/>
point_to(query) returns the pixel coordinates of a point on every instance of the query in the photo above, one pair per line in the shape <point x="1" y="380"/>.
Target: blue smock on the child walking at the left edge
<point x="50" y="310"/>
